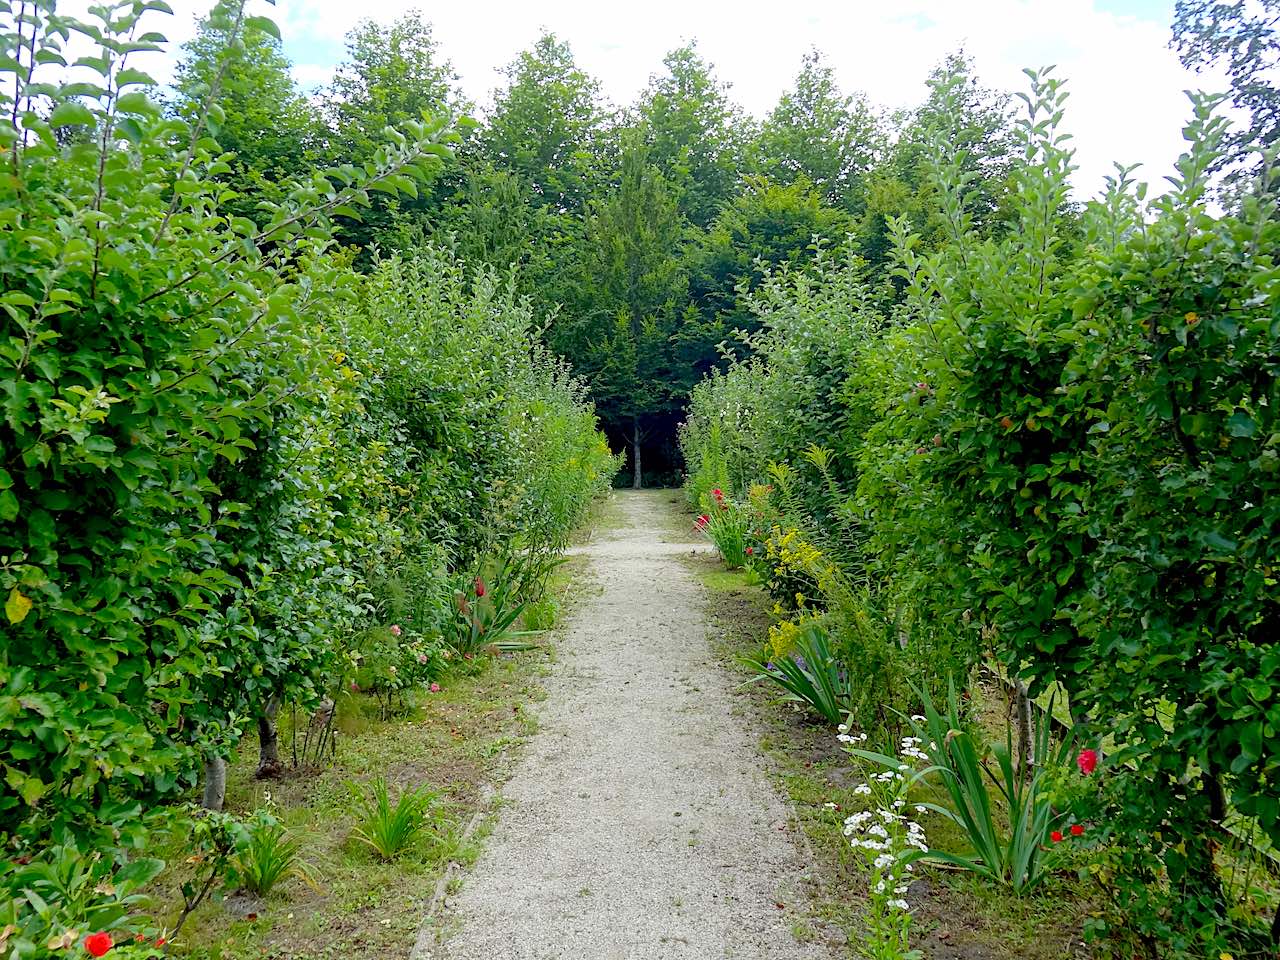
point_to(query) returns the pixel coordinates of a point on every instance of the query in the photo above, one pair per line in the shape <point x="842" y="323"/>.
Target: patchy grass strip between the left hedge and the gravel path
<point x="459" y="744"/>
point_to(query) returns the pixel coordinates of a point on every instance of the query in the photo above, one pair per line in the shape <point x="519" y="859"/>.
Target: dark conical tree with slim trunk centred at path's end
<point x="634" y="285"/>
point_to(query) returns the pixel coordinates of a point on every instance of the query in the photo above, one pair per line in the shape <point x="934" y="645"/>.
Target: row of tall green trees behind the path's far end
<point x="639" y="228"/>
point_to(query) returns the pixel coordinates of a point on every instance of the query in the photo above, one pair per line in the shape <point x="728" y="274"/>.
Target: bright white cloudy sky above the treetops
<point x="1127" y="85"/>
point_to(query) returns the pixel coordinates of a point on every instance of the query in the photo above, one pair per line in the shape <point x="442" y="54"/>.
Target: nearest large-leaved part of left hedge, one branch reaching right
<point x="161" y="367"/>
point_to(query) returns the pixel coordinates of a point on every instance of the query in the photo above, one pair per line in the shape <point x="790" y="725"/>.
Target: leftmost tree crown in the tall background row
<point x="273" y="131"/>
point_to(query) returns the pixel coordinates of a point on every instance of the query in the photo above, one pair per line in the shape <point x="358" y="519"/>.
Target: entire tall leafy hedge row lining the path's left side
<point x="236" y="473"/>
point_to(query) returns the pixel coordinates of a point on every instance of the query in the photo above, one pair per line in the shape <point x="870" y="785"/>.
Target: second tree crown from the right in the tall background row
<point x="821" y="135"/>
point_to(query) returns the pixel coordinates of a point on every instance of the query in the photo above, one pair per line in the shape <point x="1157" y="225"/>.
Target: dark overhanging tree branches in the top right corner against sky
<point x="1244" y="39"/>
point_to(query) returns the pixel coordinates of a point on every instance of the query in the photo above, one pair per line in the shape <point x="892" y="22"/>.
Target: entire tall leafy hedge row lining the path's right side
<point x="1058" y="455"/>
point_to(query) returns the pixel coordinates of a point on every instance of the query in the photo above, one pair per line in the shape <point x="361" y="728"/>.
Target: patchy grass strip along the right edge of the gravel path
<point x="958" y="917"/>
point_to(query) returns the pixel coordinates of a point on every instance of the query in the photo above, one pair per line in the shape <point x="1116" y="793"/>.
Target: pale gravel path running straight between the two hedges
<point x="639" y="825"/>
